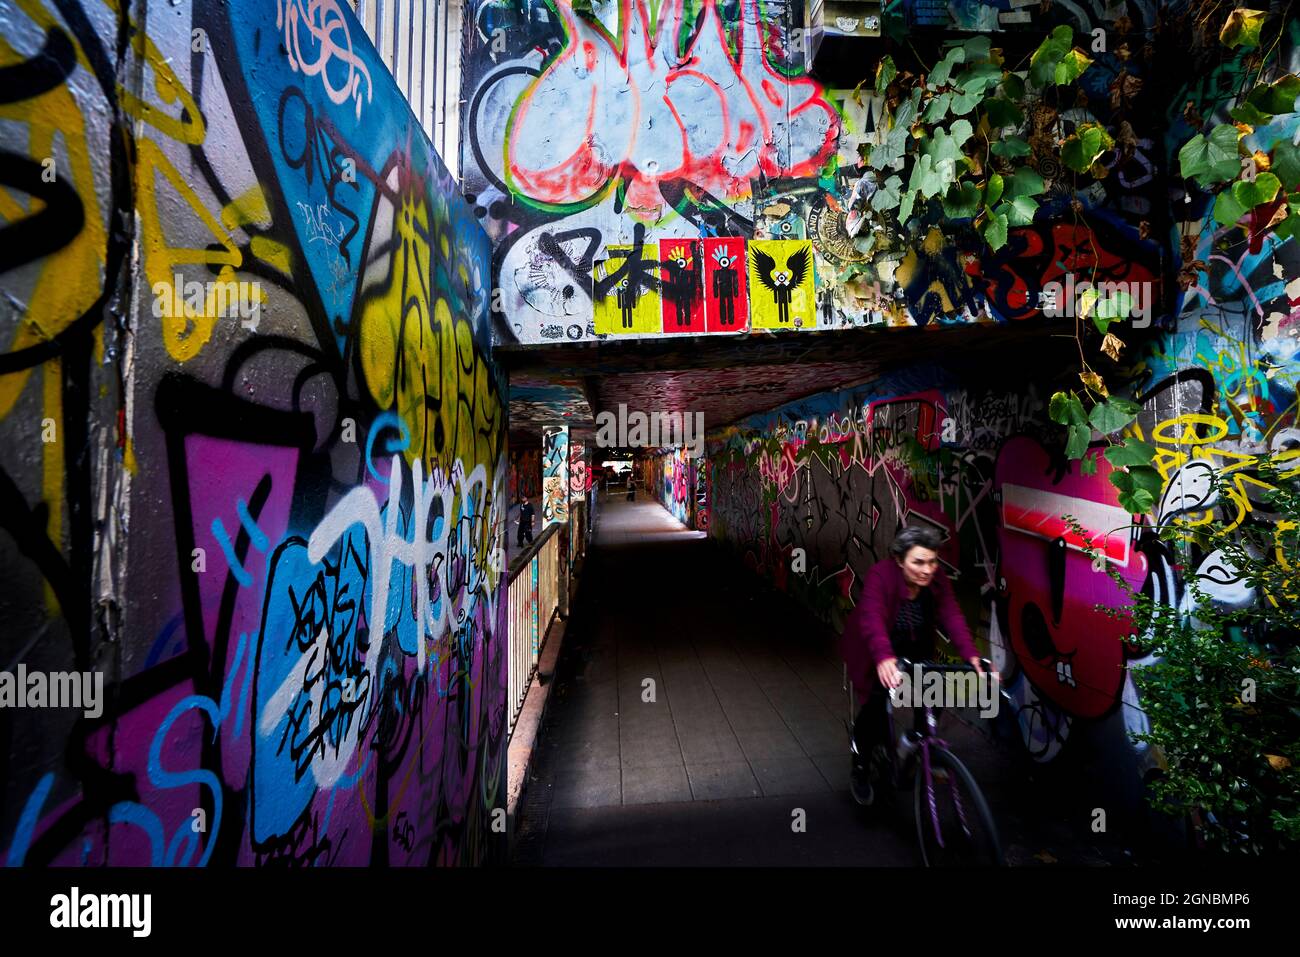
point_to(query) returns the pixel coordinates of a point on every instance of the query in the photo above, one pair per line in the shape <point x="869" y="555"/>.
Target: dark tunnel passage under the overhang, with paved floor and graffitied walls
<point x="699" y="699"/>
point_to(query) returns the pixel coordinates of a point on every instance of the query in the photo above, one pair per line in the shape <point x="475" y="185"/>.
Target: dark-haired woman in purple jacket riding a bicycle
<point x="904" y="597"/>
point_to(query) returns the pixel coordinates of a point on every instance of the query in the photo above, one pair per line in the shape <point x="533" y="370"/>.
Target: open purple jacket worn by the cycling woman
<point x="866" y="635"/>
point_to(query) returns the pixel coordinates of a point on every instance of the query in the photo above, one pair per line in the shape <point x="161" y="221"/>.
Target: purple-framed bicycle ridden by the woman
<point x="955" y="825"/>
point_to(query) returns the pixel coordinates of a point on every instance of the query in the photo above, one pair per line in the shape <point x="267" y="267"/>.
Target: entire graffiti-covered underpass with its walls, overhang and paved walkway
<point x="335" y="334"/>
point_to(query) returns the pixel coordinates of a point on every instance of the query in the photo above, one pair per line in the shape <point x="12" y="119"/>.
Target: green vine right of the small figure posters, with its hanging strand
<point x="969" y="144"/>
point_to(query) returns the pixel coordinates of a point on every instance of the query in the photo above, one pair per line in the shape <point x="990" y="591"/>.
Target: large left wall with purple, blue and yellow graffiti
<point x="206" y="503"/>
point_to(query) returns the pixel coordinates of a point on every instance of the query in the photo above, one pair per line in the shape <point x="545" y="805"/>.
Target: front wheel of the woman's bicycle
<point x="967" y="834"/>
